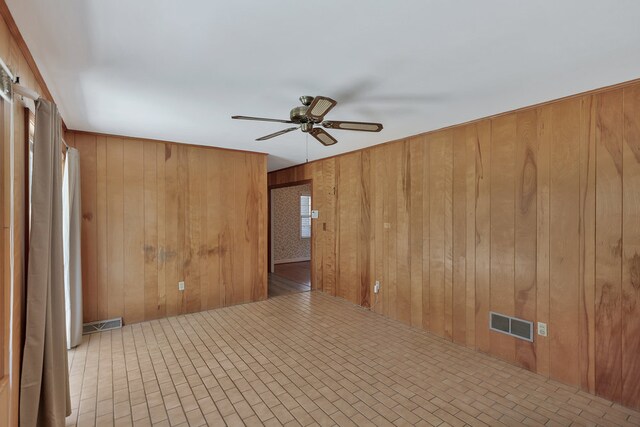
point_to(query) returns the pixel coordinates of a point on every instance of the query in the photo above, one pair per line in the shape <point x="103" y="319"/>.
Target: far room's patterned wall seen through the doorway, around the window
<point x="288" y="246"/>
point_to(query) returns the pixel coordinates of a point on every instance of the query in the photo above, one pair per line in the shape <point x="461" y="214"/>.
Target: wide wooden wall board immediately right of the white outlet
<point x="564" y="200"/>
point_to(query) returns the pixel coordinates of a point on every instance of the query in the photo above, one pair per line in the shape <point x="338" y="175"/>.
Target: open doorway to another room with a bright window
<point x="290" y="238"/>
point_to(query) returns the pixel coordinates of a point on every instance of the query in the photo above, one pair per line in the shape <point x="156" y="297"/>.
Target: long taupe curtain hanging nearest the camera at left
<point x="44" y="386"/>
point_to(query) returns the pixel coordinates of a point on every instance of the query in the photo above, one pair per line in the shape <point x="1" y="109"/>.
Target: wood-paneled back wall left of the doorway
<point x="156" y="213"/>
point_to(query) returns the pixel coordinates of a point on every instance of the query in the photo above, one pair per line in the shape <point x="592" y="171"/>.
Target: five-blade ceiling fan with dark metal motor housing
<point x="311" y="114"/>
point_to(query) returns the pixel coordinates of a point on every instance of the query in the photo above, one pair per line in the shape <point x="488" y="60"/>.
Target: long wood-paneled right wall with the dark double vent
<point x="534" y="214"/>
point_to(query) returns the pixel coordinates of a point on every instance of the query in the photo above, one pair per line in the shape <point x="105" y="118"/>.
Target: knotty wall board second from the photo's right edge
<point x="609" y="123"/>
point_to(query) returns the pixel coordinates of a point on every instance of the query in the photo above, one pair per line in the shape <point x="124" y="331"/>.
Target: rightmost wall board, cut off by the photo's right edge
<point x="631" y="249"/>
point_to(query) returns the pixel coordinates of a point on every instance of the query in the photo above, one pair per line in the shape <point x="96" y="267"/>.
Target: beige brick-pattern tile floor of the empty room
<point x="309" y="359"/>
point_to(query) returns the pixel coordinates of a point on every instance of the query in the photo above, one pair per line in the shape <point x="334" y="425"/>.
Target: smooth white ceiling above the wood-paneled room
<point x="177" y="70"/>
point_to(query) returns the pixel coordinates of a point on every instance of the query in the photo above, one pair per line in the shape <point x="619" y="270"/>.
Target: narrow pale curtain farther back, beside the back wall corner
<point x="71" y="225"/>
